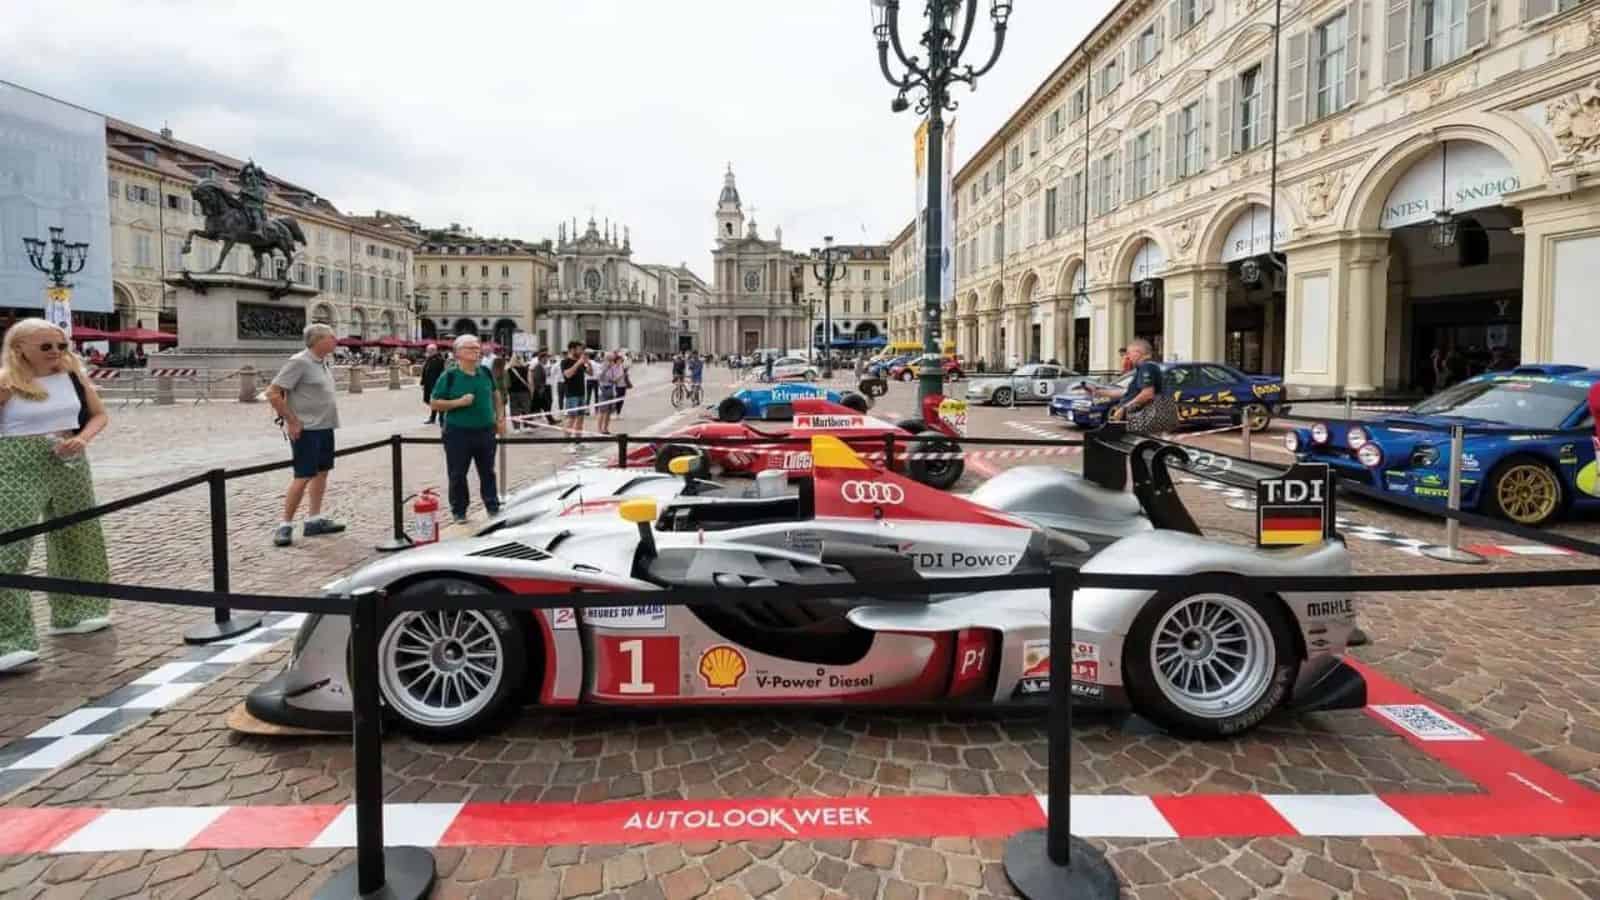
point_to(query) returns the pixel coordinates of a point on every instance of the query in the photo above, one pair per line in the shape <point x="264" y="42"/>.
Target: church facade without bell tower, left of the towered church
<point x="601" y="297"/>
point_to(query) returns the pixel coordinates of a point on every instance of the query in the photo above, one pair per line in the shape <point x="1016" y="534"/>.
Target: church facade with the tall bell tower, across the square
<point x="758" y="286"/>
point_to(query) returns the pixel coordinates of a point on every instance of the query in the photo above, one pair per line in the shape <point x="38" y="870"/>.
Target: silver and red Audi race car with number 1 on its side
<point x="1202" y="665"/>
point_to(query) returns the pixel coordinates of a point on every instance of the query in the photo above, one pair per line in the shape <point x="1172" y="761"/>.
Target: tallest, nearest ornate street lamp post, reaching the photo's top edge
<point x="950" y="30"/>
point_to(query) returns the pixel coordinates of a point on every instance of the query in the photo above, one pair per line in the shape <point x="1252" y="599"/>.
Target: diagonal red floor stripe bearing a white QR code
<point x="1497" y="766"/>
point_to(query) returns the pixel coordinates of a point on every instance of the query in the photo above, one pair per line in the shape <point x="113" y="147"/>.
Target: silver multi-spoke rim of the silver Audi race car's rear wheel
<point x="1210" y="656"/>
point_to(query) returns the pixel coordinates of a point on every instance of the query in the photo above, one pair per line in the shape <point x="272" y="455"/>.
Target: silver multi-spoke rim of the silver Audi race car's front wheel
<point x="441" y="667"/>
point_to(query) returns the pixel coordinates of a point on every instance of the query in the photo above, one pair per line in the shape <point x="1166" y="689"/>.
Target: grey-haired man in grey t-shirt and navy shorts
<point x="305" y="396"/>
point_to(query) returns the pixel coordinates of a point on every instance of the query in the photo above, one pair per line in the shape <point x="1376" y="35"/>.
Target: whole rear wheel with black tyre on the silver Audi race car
<point x="1182" y="667"/>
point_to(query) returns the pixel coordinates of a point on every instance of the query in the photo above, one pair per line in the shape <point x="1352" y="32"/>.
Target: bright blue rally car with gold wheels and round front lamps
<point x="1505" y="470"/>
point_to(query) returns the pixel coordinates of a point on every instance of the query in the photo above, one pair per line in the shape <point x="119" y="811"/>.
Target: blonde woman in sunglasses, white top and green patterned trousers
<point x="49" y="416"/>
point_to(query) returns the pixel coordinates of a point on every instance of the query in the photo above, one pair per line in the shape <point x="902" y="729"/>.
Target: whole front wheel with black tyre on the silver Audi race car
<point x="452" y="673"/>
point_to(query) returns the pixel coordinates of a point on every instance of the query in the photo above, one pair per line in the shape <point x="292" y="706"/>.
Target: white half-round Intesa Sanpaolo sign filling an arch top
<point x="1457" y="177"/>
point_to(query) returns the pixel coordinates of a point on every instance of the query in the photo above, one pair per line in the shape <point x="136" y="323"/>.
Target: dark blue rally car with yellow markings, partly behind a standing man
<point x="1207" y="393"/>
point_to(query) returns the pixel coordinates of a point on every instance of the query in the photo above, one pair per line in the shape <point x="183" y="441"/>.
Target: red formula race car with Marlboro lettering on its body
<point x="926" y="449"/>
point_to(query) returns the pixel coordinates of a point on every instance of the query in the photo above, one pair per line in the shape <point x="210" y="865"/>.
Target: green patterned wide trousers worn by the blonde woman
<point x="36" y="486"/>
